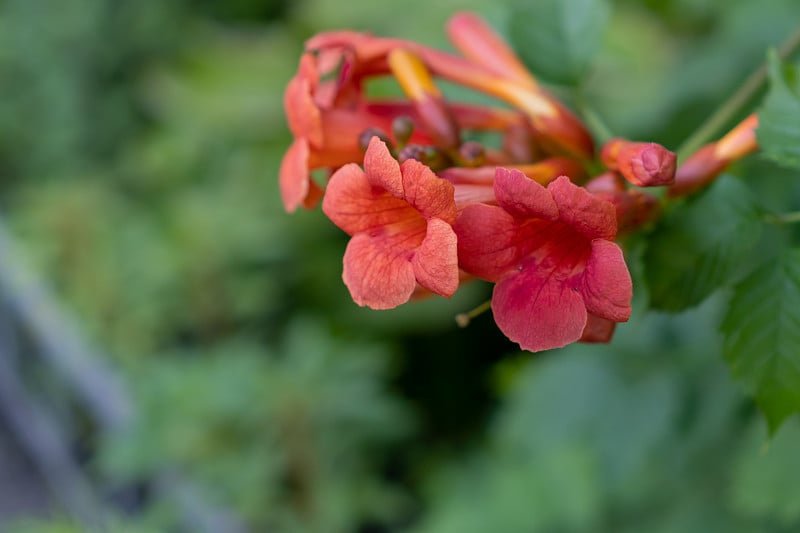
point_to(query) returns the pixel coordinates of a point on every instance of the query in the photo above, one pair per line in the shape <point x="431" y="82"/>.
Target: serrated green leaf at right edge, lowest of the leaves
<point x="762" y="336"/>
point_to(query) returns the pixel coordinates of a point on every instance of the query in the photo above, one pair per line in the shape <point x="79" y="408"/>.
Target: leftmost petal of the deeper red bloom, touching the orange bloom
<point x="487" y="245"/>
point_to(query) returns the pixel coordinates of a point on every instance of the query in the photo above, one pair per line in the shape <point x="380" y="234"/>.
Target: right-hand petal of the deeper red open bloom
<point x="607" y="289"/>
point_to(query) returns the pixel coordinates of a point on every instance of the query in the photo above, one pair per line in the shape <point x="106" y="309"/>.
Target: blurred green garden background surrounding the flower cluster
<point x="179" y="354"/>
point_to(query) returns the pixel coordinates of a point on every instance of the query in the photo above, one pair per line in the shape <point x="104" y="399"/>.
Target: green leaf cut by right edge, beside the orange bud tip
<point x="778" y="130"/>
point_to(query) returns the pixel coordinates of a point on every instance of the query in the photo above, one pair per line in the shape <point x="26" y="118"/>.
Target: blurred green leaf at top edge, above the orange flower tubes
<point x="557" y="39"/>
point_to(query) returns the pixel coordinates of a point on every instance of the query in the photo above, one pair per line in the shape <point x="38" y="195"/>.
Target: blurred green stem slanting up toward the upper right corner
<point x="732" y="105"/>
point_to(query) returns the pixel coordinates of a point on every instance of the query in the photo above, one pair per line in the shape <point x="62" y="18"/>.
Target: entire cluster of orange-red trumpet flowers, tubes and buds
<point x="537" y="215"/>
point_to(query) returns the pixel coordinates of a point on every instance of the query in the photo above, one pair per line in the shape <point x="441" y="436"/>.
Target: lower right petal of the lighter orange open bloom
<point x="436" y="261"/>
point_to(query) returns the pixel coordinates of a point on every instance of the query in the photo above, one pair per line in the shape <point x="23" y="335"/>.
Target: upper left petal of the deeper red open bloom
<point x="523" y="197"/>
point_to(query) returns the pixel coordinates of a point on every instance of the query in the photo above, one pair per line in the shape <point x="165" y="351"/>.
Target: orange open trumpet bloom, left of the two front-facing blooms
<point x="399" y="217"/>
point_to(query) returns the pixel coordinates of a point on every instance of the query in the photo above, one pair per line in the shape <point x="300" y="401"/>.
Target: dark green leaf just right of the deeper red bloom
<point x="700" y="246"/>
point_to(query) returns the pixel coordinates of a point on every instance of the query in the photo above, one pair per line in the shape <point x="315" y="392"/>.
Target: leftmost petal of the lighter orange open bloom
<point x="355" y="206"/>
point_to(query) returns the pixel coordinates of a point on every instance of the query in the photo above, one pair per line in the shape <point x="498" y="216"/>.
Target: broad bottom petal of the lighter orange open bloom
<point x="377" y="272"/>
